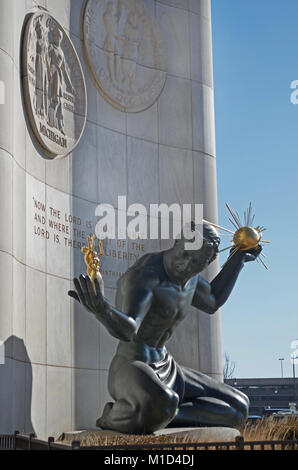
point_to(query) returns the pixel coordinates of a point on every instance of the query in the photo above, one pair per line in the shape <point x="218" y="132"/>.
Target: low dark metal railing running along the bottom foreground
<point x="18" y="441"/>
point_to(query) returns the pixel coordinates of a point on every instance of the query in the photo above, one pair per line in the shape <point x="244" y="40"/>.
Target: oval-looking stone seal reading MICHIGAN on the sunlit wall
<point x="54" y="85"/>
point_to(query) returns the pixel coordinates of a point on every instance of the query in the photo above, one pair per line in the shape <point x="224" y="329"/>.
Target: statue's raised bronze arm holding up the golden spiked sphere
<point x="209" y="297"/>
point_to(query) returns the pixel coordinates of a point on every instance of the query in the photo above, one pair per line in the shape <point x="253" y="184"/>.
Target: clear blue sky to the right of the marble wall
<point x="255" y="57"/>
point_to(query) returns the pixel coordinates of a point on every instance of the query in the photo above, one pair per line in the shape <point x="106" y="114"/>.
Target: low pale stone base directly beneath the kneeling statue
<point x="214" y="434"/>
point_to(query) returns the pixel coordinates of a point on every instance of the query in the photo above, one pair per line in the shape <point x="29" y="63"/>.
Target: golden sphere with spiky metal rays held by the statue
<point x="245" y="237"/>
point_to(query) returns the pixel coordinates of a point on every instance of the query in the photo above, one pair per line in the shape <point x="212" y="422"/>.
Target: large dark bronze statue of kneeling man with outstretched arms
<point x="152" y="391"/>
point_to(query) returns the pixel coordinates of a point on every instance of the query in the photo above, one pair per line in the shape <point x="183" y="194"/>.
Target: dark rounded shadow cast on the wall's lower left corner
<point x="15" y="388"/>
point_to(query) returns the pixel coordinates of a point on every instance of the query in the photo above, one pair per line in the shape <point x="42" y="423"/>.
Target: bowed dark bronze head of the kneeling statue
<point x="187" y="263"/>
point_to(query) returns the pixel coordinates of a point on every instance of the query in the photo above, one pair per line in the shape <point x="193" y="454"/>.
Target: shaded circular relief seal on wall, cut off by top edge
<point x="126" y="52"/>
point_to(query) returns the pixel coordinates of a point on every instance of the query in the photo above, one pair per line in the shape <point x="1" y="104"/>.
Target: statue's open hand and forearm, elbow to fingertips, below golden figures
<point x="117" y="323"/>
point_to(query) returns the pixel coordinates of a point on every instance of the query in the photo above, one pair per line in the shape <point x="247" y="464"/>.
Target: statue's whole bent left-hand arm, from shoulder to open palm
<point x="121" y="325"/>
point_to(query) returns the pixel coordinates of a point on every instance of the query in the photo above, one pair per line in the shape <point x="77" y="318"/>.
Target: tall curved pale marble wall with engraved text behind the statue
<point x="57" y="355"/>
